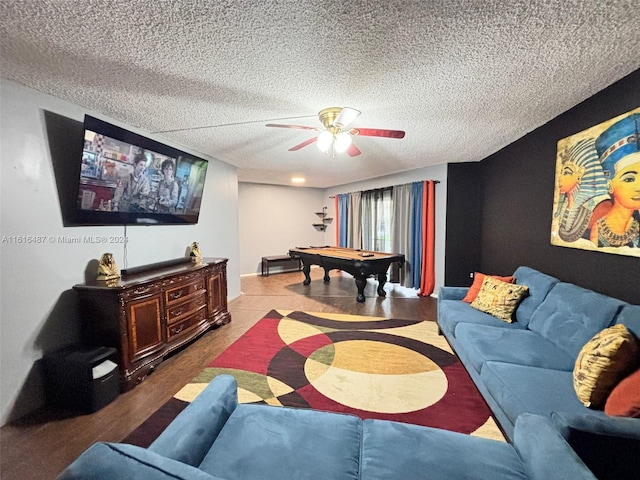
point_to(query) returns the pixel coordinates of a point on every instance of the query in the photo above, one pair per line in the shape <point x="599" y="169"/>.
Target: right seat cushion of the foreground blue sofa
<point x="396" y="450"/>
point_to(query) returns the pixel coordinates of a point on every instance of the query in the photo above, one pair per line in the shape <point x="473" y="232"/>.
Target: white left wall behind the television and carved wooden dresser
<point x="38" y="311"/>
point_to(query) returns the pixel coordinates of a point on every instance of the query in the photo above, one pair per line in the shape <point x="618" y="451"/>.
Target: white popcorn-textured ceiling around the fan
<point x="462" y="78"/>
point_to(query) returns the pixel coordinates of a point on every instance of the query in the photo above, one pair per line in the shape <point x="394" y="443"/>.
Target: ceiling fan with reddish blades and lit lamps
<point x="335" y="135"/>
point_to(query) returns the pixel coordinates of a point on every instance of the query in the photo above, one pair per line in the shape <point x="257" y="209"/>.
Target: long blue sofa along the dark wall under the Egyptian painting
<point x="526" y="367"/>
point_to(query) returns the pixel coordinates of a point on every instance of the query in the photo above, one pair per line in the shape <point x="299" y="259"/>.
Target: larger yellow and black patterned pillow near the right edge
<point x="604" y="360"/>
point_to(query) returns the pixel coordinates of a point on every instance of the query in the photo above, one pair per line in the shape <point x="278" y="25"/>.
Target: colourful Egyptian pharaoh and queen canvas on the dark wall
<point x="597" y="193"/>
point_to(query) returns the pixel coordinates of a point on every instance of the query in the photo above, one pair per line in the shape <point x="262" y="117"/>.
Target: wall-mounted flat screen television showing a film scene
<point x="128" y="179"/>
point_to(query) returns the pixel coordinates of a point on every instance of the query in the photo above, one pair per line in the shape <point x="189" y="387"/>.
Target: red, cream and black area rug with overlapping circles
<point x="372" y="367"/>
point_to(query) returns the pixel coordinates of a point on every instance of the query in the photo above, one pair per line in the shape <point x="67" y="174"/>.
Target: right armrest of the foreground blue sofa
<point x="544" y="453"/>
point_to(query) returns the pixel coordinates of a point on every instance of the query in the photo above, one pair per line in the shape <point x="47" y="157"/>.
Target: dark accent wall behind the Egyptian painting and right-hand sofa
<point x="516" y="193"/>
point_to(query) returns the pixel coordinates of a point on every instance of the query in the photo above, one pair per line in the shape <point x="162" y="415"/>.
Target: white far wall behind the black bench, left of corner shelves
<point x="274" y="219"/>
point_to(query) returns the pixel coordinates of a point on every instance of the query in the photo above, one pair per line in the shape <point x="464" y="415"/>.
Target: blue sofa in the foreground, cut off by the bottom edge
<point x="216" y="438"/>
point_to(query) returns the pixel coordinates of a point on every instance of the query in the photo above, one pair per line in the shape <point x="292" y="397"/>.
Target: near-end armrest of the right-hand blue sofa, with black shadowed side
<point x="609" y="446"/>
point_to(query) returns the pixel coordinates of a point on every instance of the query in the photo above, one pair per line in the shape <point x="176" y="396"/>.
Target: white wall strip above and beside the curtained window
<point x="437" y="172"/>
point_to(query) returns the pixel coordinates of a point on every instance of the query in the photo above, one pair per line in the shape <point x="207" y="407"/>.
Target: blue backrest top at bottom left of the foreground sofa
<point x="117" y="461"/>
